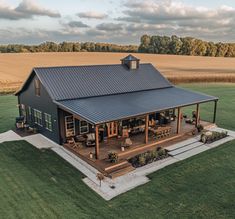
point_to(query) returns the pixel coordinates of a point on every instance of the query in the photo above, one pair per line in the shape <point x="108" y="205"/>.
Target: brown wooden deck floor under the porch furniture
<point x="138" y="146"/>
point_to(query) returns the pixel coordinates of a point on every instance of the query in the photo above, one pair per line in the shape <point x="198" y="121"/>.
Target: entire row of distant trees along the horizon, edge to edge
<point x="148" y="44"/>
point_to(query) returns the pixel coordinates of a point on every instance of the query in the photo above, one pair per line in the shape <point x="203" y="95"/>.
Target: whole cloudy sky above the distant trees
<point x="114" y="21"/>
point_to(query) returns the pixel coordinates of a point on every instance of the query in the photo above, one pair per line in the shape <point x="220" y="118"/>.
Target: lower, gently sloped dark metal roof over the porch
<point x="97" y="110"/>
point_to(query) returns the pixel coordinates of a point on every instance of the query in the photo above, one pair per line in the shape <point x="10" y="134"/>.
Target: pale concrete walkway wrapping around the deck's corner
<point x="110" y="188"/>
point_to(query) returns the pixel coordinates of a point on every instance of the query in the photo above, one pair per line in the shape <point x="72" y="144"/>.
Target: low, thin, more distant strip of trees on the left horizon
<point x="68" y="47"/>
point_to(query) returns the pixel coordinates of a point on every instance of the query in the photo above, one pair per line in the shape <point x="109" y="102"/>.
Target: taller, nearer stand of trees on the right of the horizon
<point x="185" y="46"/>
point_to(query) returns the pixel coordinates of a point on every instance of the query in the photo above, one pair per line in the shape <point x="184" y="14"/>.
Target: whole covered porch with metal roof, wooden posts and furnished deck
<point x="148" y="119"/>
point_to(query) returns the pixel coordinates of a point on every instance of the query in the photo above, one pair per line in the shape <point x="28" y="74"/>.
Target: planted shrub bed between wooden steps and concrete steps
<point x="148" y="157"/>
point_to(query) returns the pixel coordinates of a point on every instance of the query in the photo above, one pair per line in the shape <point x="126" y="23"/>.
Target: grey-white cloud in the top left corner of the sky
<point x="25" y="10"/>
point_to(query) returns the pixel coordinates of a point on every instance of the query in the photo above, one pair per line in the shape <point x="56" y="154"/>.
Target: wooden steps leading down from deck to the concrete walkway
<point x="119" y="169"/>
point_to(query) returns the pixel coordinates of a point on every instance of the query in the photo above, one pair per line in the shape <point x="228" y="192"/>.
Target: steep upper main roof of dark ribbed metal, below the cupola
<point x="97" y="80"/>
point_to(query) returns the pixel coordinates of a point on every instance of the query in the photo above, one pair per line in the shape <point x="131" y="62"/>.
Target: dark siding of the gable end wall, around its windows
<point x="43" y="104"/>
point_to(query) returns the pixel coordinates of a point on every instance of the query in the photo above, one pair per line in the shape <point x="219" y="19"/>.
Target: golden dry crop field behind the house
<point x="14" y="68"/>
